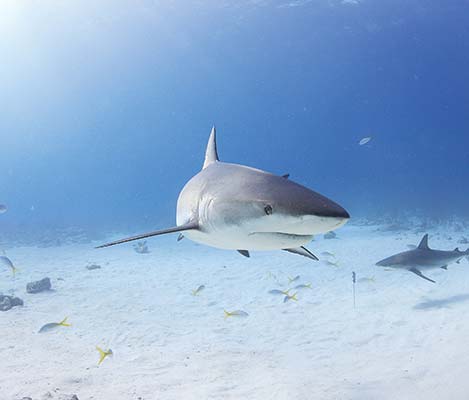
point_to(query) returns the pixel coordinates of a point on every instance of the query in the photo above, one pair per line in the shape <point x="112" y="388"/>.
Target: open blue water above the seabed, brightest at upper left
<point x="106" y="108"/>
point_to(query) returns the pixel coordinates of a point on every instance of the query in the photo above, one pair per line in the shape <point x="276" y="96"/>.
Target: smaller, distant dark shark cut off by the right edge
<point x="423" y="258"/>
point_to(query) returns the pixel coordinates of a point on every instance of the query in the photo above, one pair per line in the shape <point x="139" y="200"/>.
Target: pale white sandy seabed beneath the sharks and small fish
<point x="407" y="338"/>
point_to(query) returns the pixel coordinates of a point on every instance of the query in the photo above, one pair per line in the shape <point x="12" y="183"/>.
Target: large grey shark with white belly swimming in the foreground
<point x="231" y="206"/>
